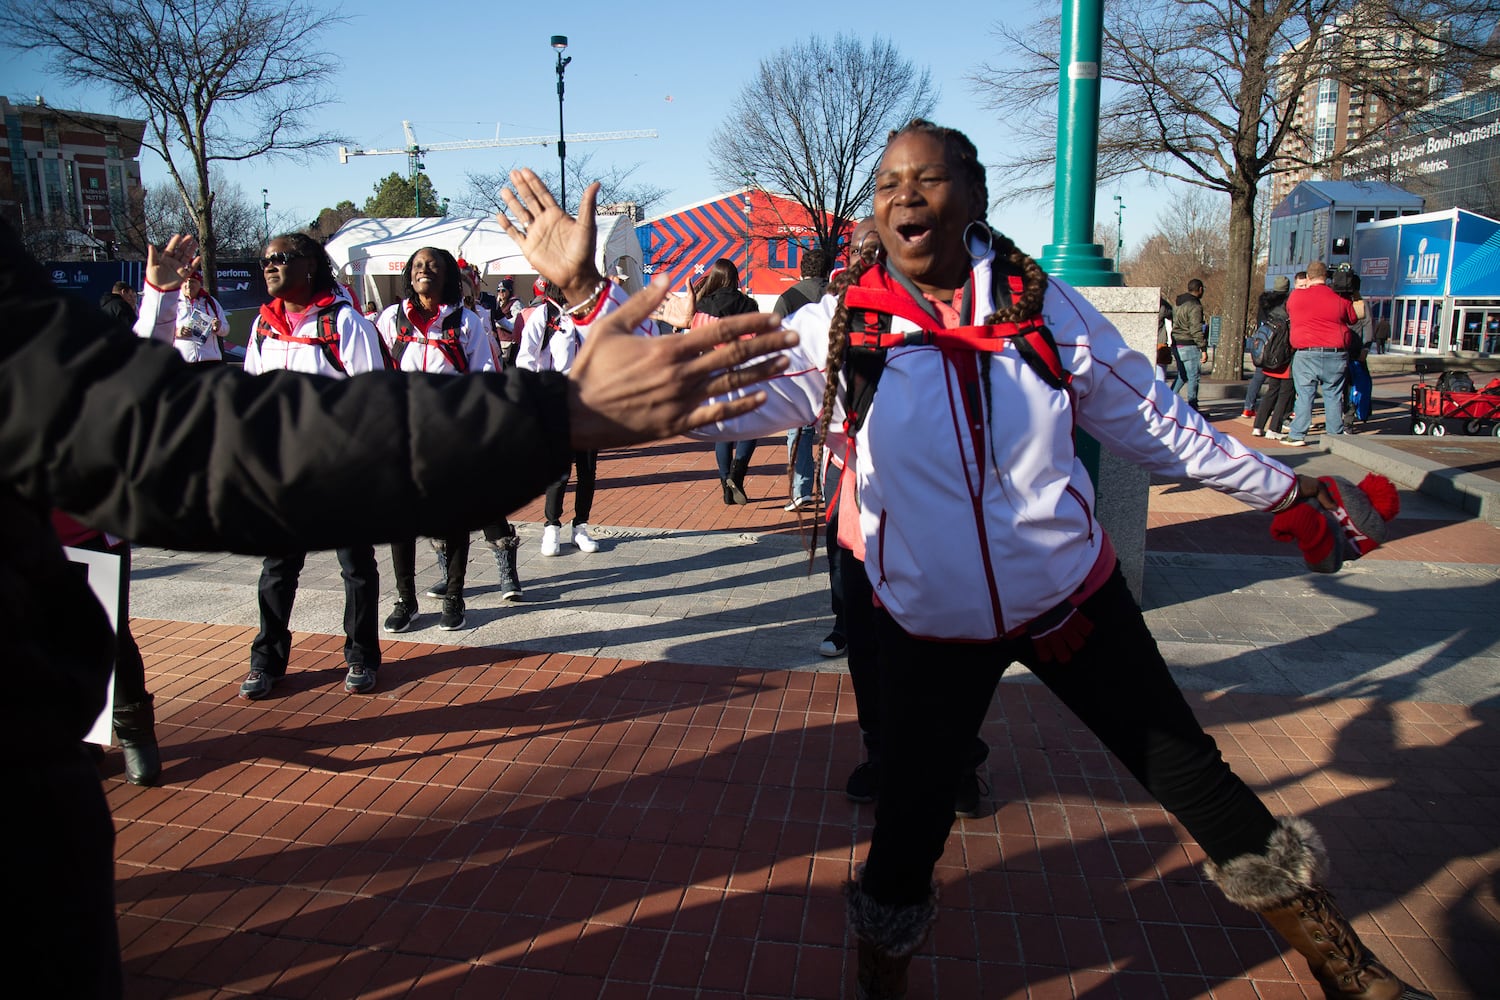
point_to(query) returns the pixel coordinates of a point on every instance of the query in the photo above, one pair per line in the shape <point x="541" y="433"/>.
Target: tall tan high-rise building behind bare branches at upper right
<point x="1364" y="74"/>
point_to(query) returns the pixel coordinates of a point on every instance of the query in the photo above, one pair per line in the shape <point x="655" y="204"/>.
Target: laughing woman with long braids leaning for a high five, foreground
<point x="979" y="534"/>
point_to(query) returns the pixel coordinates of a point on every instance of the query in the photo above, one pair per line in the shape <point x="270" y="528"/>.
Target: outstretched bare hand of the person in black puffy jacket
<point x="628" y="389"/>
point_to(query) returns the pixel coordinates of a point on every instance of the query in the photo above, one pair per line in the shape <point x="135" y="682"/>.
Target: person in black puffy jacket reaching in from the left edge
<point x="128" y="439"/>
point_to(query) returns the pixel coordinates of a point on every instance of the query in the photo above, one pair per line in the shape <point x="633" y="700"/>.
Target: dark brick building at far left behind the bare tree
<point x="74" y="176"/>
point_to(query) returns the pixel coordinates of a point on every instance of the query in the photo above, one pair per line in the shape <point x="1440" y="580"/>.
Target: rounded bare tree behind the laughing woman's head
<point x="812" y="122"/>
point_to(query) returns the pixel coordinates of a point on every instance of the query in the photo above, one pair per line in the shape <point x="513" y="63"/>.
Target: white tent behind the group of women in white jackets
<point x="376" y="251"/>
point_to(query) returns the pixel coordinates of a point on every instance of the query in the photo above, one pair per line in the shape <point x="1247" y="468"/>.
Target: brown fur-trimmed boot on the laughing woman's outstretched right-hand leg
<point x="1283" y="885"/>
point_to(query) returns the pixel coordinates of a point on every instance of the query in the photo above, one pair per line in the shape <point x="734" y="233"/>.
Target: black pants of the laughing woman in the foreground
<point x="934" y="699"/>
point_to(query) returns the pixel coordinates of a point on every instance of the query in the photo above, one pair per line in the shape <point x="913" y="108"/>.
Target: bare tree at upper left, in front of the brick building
<point x="217" y="80"/>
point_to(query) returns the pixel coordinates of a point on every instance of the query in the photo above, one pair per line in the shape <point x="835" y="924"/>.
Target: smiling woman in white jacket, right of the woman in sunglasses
<point x="430" y="331"/>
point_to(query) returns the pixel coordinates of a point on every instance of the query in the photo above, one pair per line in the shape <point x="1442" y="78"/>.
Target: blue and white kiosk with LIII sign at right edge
<point x="1436" y="280"/>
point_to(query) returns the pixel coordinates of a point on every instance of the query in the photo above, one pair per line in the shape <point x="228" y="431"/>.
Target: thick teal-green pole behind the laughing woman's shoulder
<point x="1073" y="256"/>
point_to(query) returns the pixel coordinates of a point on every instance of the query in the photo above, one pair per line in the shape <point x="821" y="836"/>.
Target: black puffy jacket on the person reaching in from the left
<point x="128" y="439"/>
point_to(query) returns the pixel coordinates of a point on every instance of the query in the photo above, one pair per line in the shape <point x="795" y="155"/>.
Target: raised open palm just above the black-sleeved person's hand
<point x="560" y="247"/>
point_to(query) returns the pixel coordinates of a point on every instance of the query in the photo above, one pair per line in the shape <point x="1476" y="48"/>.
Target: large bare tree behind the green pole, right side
<point x="1192" y="94"/>
